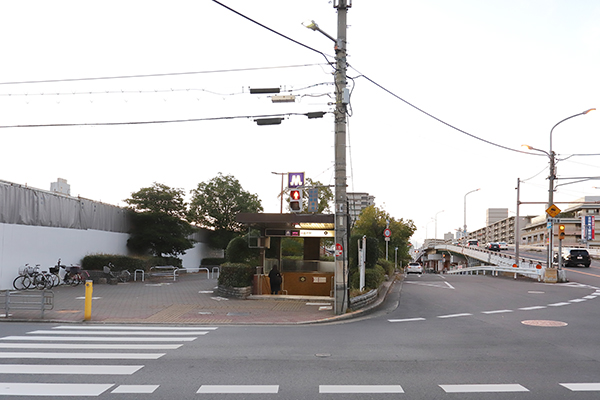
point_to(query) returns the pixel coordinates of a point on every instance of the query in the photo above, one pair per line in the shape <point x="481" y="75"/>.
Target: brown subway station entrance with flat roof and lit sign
<point x="309" y="276"/>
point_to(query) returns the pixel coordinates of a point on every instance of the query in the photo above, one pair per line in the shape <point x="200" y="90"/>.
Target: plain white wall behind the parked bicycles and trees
<point x="26" y="244"/>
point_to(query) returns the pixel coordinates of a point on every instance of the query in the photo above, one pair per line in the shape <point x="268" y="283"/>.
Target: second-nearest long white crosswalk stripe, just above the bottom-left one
<point x="29" y="369"/>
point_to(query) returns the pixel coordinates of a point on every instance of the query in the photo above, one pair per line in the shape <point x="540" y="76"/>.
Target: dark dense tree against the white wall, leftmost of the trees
<point x="158" y="224"/>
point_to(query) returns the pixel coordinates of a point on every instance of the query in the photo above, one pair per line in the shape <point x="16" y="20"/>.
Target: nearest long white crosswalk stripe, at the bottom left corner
<point x="52" y="389"/>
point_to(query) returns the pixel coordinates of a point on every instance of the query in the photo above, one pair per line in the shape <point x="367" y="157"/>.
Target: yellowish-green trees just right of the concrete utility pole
<point x="372" y="221"/>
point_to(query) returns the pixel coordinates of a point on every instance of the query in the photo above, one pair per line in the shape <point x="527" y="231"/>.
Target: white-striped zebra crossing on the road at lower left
<point x="119" y="344"/>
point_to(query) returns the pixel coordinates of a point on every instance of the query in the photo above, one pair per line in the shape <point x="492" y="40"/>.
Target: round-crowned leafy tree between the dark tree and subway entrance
<point x="216" y="203"/>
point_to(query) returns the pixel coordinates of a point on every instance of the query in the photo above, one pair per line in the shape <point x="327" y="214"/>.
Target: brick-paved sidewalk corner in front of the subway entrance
<point x="188" y="300"/>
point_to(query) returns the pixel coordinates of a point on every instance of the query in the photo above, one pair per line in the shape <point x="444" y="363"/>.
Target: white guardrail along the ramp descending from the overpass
<point x="499" y="262"/>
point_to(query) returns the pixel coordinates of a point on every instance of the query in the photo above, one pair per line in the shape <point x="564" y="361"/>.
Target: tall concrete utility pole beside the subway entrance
<point x="341" y="203"/>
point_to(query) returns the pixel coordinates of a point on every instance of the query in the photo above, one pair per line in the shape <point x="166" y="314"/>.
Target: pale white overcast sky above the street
<point x="466" y="84"/>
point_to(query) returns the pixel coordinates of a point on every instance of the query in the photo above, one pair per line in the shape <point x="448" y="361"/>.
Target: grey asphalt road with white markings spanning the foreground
<point x="435" y="337"/>
